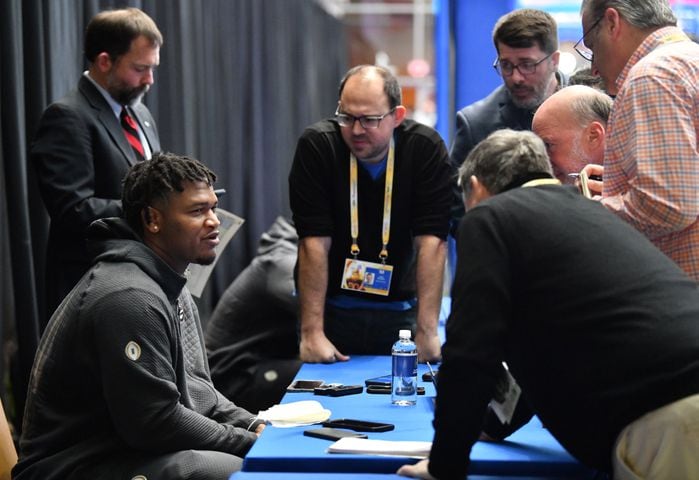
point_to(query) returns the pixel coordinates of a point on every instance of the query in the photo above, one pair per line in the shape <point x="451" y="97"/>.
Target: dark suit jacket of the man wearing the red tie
<point x="80" y="155"/>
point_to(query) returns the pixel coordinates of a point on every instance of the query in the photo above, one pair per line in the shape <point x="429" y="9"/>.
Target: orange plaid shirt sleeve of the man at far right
<point x="651" y="161"/>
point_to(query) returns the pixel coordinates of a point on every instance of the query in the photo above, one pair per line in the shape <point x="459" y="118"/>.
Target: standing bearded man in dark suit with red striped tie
<point x="81" y="151"/>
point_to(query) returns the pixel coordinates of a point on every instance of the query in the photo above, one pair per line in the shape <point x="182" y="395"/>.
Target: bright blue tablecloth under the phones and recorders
<point x="531" y="451"/>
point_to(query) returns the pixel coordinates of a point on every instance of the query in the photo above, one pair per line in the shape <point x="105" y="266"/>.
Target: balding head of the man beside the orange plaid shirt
<point x="572" y="123"/>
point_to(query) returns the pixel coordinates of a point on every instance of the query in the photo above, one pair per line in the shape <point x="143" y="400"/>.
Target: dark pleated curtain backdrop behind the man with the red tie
<point x="237" y="83"/>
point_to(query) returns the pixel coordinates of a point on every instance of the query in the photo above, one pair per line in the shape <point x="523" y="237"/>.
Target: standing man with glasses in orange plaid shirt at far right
<point x="651" y="161"/>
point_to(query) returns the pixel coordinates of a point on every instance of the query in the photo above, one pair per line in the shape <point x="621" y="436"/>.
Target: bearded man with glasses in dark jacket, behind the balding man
<point x="526" y="41"/>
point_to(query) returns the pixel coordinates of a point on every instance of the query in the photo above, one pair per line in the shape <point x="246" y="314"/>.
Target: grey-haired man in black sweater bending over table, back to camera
<point x="599" y="328"/>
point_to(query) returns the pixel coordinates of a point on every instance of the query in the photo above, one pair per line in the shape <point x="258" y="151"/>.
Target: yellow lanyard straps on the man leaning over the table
<point x="354" y="200"/>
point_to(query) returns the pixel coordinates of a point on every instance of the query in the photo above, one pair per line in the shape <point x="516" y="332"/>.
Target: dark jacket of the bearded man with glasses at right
<point x="480" y="119"/>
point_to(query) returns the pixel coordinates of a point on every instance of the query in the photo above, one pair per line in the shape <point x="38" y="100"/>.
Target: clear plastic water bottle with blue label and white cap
<point x="404" y="382"/>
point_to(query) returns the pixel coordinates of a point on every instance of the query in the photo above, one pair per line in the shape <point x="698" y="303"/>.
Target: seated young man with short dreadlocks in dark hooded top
<point x="120" y="386"/>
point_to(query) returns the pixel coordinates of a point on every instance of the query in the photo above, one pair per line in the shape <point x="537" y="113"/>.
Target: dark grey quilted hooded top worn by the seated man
<point x="121" y="369"/>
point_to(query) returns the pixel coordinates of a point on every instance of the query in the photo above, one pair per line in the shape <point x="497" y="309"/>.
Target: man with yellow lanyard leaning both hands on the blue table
<point x="370" y="193"/>
